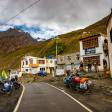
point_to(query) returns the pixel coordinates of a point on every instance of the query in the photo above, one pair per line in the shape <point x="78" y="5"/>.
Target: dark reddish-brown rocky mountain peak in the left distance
<point x="13" y="39"/>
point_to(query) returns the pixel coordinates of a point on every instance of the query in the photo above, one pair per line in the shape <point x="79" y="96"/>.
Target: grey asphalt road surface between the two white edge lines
<point x="40" y="97"/>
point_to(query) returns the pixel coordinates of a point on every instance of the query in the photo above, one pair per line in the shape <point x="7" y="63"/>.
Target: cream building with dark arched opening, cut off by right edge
<point x="109" y="35"/>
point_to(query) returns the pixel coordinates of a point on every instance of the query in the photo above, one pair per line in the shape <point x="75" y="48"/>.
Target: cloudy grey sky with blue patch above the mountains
<point x="48" y="18"/>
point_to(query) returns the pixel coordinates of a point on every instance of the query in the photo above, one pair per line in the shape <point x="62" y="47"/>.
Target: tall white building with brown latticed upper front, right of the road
<point x="92" y="51"/>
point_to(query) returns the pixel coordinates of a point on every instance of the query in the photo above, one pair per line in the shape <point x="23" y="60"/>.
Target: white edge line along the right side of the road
<point x="89" y="110"/>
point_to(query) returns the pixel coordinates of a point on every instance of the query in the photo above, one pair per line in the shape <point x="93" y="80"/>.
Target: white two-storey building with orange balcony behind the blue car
<point x="33" y="65"/>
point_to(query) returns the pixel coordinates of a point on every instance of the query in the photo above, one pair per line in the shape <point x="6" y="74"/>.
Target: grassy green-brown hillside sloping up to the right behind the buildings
<point x="67" y="43"/>
